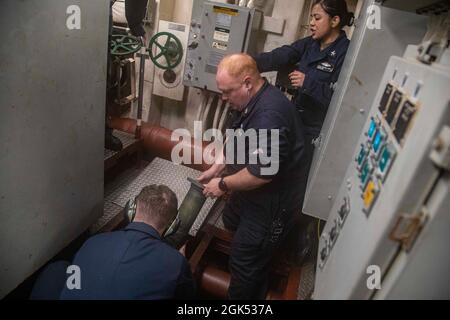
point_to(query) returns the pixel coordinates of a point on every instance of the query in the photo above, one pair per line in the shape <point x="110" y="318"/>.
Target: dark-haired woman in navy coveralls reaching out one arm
<point x="317" y="61"/>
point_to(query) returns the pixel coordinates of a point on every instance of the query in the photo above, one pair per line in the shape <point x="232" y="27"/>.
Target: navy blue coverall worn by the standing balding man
<point x="261" y="217"/>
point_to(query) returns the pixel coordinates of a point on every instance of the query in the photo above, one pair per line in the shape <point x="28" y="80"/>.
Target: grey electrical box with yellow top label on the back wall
<point x="216" y="30"/>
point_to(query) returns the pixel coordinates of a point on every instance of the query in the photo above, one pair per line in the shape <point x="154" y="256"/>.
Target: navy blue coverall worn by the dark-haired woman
<point x="321" y="69"/>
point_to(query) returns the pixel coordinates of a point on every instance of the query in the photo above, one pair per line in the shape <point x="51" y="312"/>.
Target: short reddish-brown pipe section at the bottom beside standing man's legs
<point x="215" y="282"/>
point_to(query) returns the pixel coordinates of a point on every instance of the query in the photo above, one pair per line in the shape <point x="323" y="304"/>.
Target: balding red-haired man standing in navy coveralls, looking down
<point x="264" y="194"/>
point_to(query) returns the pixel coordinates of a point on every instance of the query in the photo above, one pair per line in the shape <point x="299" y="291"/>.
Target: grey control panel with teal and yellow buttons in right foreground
<point x="385" y="201"/>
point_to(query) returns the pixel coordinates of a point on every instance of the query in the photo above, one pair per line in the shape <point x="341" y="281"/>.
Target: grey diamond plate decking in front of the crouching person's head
<point x="159" y="171"/>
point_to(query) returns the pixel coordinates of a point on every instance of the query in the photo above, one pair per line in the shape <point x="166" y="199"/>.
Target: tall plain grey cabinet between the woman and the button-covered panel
<point x="350" y="106"/>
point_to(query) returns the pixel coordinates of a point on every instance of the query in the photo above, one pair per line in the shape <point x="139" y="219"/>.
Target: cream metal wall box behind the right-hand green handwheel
<point x="169" y="83"/>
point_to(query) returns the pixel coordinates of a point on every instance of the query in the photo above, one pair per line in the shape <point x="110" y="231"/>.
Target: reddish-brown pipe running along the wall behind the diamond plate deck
<point x="157" y="140"/>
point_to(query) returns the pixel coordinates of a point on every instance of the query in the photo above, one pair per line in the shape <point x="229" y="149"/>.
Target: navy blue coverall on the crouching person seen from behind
<point x="133" y="263"/>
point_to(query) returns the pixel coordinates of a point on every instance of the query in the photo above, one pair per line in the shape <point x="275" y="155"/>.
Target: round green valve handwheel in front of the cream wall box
<point x="165" y="50"/>
